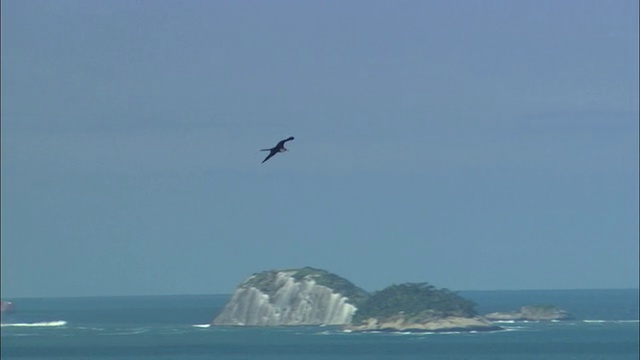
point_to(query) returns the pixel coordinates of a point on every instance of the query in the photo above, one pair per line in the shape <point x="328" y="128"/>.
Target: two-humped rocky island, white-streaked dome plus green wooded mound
<point x="309" y="296"/>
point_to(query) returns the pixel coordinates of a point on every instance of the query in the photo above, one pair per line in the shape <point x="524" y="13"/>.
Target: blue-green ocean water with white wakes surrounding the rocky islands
<point x="176" y="327"/>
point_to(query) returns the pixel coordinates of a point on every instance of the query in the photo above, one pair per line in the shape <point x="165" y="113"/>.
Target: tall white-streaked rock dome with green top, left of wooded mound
<point x="304" y="296"/>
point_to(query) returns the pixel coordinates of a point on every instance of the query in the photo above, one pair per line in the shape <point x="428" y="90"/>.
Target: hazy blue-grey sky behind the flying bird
<point x="474" y="145"/>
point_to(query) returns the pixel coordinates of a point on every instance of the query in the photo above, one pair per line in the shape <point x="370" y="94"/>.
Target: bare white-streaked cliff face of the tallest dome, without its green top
<point x="293" y="303"/>
